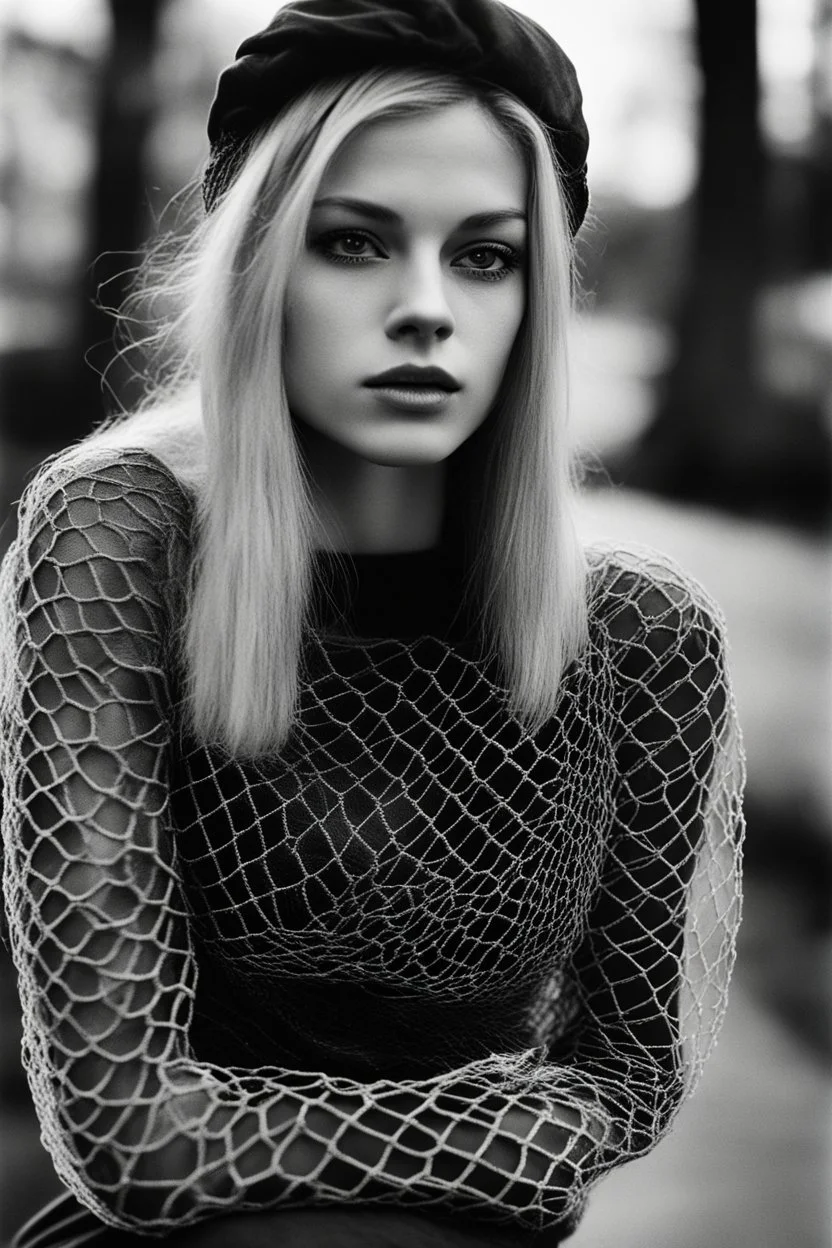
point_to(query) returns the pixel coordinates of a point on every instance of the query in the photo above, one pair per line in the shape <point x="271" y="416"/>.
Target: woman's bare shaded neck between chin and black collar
<point x="369" y="509"/>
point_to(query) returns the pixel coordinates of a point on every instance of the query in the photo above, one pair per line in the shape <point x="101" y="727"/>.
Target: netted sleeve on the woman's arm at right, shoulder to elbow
<point x="654" y="967"/>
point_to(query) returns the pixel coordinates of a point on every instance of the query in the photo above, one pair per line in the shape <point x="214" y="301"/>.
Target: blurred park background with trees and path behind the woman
<point x="704" y="404"/>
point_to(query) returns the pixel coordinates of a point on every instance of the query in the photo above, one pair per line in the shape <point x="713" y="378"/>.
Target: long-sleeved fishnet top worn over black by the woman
<point x="422" y="958"/>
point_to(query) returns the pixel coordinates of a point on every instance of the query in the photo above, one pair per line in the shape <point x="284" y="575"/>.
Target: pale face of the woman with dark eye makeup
<point x="407" y="300"/>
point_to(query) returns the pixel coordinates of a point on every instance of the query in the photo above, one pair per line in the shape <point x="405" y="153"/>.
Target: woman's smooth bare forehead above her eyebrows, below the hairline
<point x="453" y="159"/>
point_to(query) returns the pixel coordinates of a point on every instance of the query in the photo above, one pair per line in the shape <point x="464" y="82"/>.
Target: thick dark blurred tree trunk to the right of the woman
<point x="710" y="421"/>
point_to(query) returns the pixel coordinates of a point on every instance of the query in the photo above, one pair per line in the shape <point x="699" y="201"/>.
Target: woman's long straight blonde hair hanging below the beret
<point x="221" y="424"/>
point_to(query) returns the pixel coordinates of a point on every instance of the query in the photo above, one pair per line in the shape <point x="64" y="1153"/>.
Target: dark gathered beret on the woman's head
<point x="312" y="41"/>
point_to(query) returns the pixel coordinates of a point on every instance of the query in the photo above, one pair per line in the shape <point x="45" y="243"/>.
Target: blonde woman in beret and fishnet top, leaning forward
<point x="370" y="844"/>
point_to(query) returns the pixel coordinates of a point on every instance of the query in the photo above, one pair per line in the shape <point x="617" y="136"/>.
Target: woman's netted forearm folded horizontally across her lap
<point x="210" y="1146"/>
